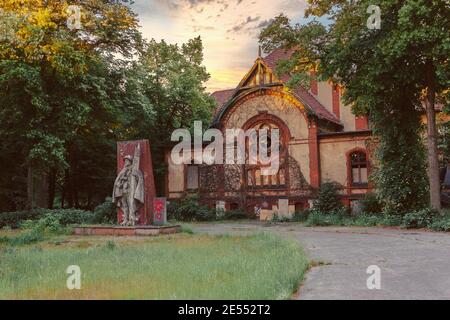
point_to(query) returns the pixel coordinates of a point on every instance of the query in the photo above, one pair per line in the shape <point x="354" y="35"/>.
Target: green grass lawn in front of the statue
<point x="181" y="266"/>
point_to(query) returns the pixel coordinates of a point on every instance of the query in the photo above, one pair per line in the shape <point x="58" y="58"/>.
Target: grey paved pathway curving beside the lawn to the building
<point x="414" y="264"/>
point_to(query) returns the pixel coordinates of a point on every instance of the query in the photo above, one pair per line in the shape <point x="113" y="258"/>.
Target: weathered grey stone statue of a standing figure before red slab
<point x="128" y="193"/>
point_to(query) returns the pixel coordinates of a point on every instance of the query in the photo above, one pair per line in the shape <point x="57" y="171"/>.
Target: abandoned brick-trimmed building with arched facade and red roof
<point x="321" y="140"/>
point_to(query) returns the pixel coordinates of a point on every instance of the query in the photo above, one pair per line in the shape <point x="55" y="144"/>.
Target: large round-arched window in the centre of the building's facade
<point x="255" y="178"/>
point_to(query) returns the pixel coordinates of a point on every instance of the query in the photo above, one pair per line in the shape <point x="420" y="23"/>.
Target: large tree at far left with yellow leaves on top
<point x="50" y="90"/>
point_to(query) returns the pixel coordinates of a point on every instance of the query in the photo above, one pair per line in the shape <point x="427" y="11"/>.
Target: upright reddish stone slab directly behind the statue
<point x="127" y="148"/>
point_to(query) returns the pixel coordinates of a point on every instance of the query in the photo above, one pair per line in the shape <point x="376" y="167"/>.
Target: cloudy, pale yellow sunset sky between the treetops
<point x="229" y="30"/>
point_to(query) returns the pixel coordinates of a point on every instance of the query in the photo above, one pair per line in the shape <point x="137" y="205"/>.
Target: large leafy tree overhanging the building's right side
<point x="386" y="72"/>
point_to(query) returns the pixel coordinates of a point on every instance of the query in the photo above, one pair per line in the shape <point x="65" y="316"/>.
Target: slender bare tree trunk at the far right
<point x="433" y="161"/>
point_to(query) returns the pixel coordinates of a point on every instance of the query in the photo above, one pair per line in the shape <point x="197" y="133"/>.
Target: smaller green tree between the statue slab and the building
<point x="172" y="79"/>
